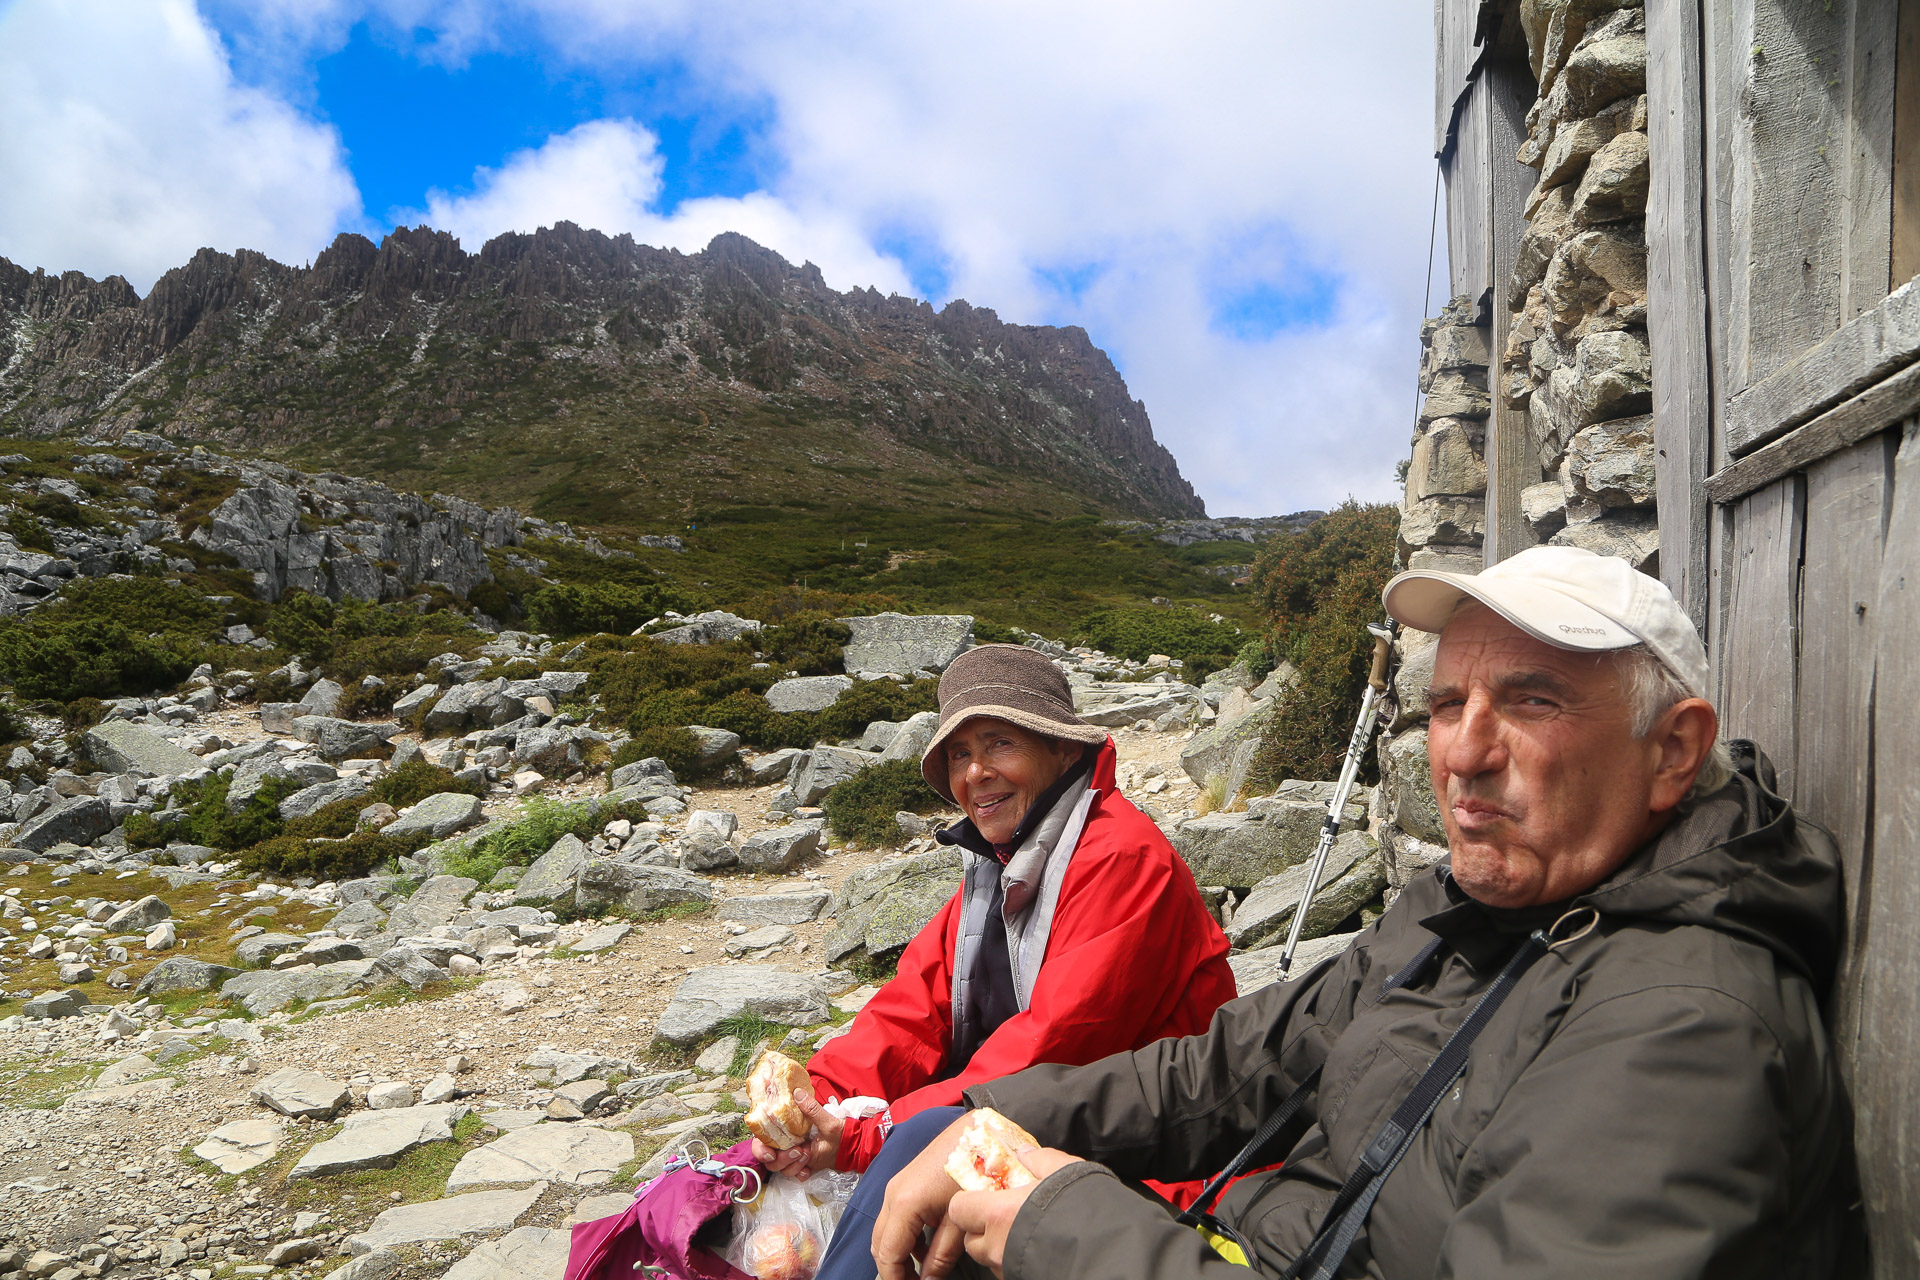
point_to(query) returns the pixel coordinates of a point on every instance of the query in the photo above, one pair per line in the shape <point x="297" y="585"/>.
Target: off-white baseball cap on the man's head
<point x="1568" y="598"/>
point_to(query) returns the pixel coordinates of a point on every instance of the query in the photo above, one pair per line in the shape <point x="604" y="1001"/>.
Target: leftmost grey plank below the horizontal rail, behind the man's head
<point x="1764" y="623"/>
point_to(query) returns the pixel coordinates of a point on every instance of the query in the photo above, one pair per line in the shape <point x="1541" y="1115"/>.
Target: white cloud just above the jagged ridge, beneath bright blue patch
<point x="608" y="176"/>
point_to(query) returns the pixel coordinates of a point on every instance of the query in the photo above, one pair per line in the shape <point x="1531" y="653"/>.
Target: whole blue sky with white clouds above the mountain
<point x="1234" y="201"/>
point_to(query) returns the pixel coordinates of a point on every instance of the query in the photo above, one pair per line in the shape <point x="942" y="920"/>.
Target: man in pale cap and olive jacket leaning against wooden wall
<point x="1652" y="1099"/>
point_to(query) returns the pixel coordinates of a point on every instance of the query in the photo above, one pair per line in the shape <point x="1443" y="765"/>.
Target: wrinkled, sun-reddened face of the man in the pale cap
<point x="1543" y="786"/>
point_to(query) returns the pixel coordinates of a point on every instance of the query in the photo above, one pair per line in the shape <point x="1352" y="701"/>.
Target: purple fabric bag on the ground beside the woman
<point x="679" y="1223"/>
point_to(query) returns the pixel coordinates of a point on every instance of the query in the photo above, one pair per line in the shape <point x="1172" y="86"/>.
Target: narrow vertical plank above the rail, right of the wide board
<point x="1867" y="218"/>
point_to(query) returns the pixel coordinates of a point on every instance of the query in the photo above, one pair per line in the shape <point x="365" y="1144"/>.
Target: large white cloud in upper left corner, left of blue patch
<point x="126" y="147"/>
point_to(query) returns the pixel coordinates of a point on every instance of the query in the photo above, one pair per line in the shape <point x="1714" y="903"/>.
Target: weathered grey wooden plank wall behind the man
<point x="1787" y="364"/>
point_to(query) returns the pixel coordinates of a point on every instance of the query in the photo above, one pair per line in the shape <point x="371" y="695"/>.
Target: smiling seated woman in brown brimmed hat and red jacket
<point x="1076" y="934"/>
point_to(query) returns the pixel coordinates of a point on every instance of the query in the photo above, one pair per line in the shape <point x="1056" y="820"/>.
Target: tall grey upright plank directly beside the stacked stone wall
<point x="1677" y="296"/>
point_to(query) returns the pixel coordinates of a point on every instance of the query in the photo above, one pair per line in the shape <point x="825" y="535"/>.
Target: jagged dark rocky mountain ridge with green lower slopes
<point x="569" y="362"/>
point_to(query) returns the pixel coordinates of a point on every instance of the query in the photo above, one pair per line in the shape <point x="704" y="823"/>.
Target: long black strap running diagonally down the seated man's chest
<point x="1349" y="1214"/>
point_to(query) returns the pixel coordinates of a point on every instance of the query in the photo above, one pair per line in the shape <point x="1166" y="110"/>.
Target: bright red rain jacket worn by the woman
<point x="1134" y="957"/>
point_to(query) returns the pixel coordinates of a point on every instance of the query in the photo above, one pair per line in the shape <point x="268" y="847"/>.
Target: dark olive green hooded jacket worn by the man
<point x="1656" y="1099"/>
